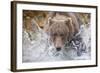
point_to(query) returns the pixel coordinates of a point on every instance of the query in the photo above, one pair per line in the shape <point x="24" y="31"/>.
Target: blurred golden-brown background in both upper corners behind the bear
<point x="42" y="16"/>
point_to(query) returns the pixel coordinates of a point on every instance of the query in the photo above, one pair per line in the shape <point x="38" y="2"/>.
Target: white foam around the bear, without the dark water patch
<point x="41" y="50"/>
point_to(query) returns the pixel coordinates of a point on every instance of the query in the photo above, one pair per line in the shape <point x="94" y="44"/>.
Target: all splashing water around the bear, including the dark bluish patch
<point x="40" y="49"/>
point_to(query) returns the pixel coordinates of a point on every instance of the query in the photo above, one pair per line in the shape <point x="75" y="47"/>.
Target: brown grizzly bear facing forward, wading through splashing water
<point x="61" y="27"/>
